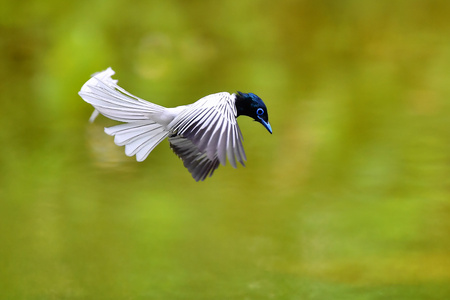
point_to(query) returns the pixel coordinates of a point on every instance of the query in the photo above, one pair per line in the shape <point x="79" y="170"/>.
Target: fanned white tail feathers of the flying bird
<point x="140" y="135"/>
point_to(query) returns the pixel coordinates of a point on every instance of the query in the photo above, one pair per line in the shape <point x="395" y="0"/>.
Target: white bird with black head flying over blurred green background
<point x="203" y="134"/>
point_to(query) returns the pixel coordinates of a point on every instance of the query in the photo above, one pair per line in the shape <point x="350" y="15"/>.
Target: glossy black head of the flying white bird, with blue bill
<point x="248" y="104"/>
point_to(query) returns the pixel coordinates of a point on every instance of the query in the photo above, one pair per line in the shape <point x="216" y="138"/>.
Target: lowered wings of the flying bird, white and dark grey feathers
<point x="212" y="132"/>
